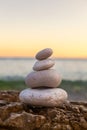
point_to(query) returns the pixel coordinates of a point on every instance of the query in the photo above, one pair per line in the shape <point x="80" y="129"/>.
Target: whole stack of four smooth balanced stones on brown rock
<point x="43" y="83"/>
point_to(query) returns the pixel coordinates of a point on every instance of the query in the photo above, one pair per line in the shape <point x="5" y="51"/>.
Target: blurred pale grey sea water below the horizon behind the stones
<point x="18" y="68"/>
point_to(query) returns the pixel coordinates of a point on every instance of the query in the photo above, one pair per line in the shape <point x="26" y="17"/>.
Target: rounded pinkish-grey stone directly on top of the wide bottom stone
<point x="46" y="78"/>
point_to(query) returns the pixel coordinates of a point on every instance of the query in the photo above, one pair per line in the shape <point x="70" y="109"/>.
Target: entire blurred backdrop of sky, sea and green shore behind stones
<point x="28" y="26"/>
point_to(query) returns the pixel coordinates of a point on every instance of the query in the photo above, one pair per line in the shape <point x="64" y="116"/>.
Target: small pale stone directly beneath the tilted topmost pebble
<point x="43" y="64"/>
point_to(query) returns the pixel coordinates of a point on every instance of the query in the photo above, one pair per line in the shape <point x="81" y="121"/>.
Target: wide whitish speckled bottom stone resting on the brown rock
<point x="43" y="97"/>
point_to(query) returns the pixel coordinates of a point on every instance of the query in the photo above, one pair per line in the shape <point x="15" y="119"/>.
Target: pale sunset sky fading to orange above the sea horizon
<point x="26" y="26"/>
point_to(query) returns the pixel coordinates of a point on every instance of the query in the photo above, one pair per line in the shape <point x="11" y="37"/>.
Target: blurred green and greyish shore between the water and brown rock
<point x="77" y="90"/>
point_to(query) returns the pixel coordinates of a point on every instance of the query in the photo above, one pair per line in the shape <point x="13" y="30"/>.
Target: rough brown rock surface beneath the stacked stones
<point x="16" y="116"/>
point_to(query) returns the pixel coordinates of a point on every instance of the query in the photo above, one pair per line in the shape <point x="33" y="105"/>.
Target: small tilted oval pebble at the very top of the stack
<point x="44" y="54"/>
